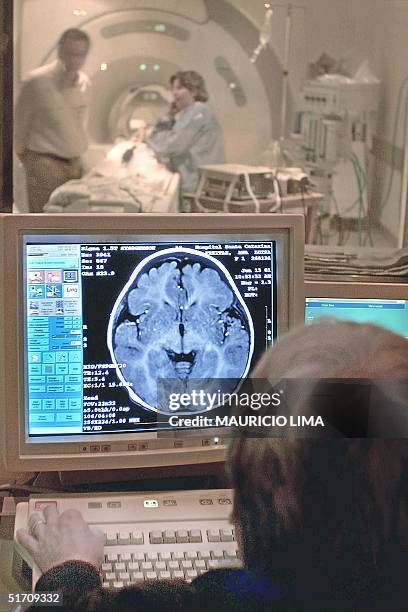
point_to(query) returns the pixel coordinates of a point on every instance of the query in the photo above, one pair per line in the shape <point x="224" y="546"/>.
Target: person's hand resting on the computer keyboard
<point x="53" y="538"/>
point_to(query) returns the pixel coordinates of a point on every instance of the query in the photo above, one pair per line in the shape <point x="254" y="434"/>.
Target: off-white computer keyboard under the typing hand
<point x="151" y="536"/>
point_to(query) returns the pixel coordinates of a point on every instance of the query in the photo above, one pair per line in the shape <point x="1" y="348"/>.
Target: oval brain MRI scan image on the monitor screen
<point x="179" y="316"/>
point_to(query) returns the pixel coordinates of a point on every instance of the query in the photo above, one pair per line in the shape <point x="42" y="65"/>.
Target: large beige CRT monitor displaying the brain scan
<point x="96" y="309"/>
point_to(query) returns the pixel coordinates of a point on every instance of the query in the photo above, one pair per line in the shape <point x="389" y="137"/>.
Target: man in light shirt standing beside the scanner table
<point x="50" y="120"/>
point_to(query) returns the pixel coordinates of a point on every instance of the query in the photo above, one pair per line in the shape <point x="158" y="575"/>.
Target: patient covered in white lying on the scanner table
<point x="129" y="178"/>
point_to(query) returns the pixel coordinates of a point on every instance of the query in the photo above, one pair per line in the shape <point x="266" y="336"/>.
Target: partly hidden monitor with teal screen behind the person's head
<point x="384" y="304"/>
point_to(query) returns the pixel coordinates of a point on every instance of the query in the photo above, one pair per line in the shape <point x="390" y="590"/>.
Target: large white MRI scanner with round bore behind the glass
<point x="136" y="46"/>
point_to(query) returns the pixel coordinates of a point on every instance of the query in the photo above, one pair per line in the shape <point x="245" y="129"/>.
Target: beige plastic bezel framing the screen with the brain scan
<point x="21" y="455"/>
